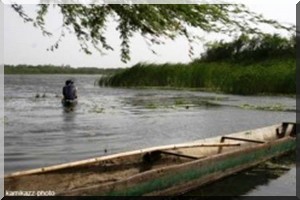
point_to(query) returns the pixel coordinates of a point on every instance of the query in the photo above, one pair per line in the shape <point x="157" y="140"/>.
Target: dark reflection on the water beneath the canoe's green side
<point x="247" y="182"/>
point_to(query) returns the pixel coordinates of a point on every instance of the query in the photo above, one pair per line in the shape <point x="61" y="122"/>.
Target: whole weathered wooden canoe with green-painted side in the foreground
<point x="164" y="170"/>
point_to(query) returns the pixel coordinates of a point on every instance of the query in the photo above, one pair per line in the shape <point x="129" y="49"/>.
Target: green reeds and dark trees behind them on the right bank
<point x="265" y="64"/>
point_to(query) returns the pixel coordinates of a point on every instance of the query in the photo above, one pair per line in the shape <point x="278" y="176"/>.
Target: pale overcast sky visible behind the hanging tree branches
<point x="24" y="44"/>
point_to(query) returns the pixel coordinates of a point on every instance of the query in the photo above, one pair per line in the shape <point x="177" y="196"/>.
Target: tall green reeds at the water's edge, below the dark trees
<point x="271" y="76"/>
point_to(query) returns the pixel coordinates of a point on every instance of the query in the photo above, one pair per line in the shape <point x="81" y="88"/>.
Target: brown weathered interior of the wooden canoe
<point x="111" y="169"/>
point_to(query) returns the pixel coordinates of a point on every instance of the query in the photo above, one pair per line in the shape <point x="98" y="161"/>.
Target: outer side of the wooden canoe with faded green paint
<point x="176" y="180"/>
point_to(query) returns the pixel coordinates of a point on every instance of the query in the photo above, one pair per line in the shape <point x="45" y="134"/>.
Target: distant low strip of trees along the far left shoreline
<point x="51" y="69"/>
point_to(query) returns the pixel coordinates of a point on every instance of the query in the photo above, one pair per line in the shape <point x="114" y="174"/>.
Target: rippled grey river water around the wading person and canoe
<point x="38" y="132"/>
